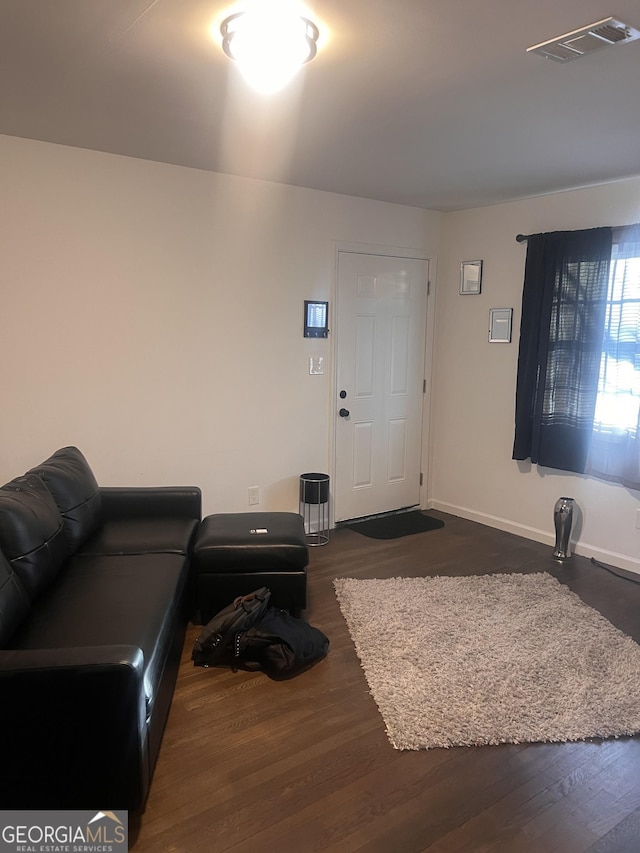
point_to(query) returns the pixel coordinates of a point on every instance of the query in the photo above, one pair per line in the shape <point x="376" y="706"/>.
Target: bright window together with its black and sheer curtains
<point x="578" y="385"/>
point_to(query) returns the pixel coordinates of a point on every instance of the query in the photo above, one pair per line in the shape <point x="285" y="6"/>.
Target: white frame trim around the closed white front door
<point x="425" y="444"/>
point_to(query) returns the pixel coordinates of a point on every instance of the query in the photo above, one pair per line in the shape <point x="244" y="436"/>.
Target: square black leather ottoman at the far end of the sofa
<point x="237" y="553"/>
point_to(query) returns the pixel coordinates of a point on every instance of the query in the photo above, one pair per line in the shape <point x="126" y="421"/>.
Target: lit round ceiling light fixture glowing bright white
<point x="270" y="41"/>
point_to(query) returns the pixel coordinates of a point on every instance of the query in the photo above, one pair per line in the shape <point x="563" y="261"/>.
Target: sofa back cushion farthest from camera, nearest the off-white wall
<point x="76" y="492"/>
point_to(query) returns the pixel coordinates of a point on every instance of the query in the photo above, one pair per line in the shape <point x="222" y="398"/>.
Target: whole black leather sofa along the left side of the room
<point x="94" y="601"/>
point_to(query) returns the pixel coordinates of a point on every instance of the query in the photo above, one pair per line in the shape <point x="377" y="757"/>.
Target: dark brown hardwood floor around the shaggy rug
<point x="249" y="764"/>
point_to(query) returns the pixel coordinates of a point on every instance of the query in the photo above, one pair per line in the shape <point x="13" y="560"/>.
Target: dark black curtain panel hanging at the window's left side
<point x="561" y="336"/>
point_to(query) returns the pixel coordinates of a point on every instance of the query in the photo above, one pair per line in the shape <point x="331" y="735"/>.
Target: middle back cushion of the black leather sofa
<point x="32" y="534"/>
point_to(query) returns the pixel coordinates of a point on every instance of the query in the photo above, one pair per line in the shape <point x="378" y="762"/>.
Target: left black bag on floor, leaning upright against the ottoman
<point x="215" y="644"/>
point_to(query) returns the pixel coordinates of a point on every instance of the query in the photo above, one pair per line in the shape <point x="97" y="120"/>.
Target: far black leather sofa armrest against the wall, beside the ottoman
<point x="150" y="501"/>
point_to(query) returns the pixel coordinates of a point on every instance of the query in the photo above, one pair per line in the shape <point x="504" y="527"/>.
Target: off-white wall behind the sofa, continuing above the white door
<point x="152" y="315"/>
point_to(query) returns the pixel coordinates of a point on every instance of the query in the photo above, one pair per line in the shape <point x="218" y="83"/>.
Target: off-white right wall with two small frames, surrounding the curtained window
<point x="472" y="473"/>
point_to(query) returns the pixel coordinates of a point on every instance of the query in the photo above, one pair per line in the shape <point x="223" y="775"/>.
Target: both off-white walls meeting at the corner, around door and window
<point x="152" y="315"/>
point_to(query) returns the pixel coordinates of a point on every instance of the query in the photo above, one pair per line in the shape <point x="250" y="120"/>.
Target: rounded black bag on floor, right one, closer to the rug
<point x="280" y="645"/>
